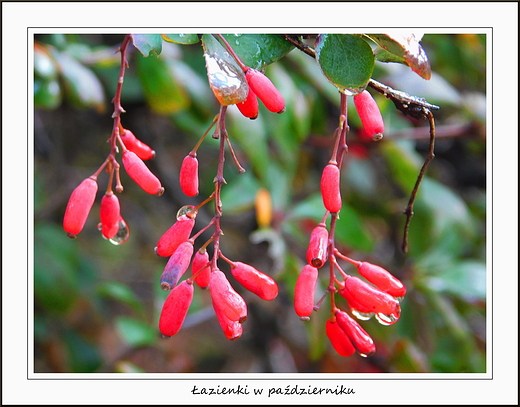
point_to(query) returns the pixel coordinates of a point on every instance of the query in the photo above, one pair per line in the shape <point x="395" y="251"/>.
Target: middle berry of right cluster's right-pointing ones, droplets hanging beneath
<point x="366" y="298"/>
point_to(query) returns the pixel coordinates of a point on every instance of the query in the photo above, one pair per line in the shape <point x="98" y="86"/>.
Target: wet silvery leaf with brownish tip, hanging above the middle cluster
<point x="226" y="78"/>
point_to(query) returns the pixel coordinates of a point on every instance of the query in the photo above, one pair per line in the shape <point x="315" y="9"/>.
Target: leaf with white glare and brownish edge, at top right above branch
<point x="404" y="49"/>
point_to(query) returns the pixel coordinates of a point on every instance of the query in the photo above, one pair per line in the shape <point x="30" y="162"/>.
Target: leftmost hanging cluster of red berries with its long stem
<point x="134" y="152"/>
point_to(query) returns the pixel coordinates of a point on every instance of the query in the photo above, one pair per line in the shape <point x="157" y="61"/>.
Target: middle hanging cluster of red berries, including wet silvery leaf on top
<point x="177" y="243"/>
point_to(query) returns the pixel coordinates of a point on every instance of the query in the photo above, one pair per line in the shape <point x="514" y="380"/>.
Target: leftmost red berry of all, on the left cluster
<point x="78" y="207"/>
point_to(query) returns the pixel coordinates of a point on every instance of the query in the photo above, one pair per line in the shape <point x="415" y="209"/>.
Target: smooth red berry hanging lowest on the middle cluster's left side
<point x="175" y="308"/>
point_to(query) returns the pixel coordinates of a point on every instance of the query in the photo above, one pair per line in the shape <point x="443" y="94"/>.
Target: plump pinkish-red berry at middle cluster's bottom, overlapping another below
<point x="225" y="298"/>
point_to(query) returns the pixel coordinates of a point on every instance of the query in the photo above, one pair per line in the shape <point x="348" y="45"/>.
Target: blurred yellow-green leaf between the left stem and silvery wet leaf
<point x="163" y="92"/>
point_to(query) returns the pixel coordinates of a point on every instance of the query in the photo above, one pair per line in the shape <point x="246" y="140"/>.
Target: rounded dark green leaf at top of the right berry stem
<point x="346" y="60"/>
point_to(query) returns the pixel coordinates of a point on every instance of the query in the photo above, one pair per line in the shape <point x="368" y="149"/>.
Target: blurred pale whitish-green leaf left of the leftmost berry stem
<point x="82" y="87"/>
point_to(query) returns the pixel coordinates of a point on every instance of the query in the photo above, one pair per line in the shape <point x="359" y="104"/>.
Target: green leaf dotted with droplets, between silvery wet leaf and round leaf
<point x="258" y="50"/>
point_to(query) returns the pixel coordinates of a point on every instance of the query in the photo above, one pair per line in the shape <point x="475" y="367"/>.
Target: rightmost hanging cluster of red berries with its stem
<point x="381" y="297"/>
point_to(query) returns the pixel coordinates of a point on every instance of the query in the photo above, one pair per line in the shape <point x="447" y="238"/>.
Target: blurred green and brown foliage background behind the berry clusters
<point x="96" y="305"/>
